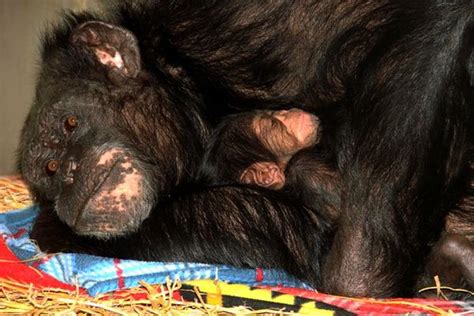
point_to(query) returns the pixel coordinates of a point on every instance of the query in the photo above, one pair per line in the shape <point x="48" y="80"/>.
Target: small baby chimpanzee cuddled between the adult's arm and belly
<point x="275" y="150"/>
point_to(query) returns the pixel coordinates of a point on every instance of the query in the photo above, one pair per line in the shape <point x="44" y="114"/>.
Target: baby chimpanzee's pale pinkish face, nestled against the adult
<point x="286" y="132"/>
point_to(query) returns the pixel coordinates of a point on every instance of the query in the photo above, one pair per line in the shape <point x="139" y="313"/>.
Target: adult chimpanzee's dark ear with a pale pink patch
<point x="114" y="46"/>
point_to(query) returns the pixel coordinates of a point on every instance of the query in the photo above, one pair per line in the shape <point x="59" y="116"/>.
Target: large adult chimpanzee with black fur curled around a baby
<point x="392" y="77"/>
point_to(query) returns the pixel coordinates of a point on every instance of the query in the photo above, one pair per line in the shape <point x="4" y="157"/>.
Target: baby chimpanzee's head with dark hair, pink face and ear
<point x="255" y="147"/>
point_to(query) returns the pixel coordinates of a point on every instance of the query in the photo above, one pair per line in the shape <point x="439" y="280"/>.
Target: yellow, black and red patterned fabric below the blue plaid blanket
<point x="310" y="302"/>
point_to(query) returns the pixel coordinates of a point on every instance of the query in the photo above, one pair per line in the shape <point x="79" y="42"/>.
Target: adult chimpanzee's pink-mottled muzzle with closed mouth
<point x="116" y="203"/>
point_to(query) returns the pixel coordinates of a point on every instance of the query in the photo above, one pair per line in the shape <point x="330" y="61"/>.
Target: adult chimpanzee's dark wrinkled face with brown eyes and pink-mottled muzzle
<point x="75" y="156"/>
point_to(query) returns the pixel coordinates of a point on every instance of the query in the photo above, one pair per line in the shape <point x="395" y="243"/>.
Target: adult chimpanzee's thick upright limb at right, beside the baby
<point x="403" y="143"/>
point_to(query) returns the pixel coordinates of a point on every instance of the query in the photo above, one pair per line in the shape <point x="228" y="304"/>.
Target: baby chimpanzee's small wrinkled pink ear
<point x="264" y="174"/>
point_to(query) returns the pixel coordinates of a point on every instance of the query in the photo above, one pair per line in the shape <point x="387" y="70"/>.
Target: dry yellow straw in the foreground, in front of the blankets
<point x="18" y="298"/>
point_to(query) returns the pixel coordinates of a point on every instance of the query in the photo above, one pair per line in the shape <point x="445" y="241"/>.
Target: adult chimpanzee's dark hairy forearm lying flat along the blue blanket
<point x="225" y="225"/>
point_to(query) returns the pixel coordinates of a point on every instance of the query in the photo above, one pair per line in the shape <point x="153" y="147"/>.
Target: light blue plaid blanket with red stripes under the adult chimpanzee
<point x="99" y="275"/>
